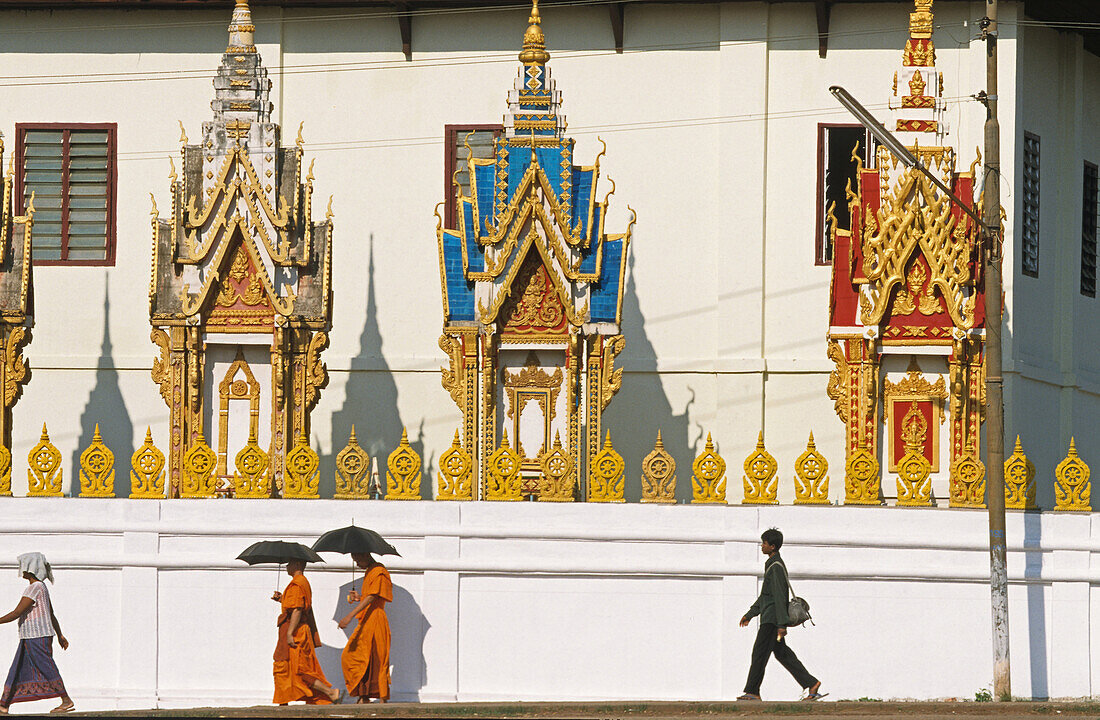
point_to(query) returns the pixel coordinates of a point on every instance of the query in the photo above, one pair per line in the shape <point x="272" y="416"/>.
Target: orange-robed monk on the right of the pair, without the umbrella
<point x="366" y="659"/>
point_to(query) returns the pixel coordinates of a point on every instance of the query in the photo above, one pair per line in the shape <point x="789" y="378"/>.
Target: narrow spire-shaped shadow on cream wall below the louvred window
<point x="107" y="408"/>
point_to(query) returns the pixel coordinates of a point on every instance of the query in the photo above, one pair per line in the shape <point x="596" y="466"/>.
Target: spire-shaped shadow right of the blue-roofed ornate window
<point x="642" y="407"/>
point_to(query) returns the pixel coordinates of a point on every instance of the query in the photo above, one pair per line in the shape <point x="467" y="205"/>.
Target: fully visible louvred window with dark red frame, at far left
<point x="71" y="170"/>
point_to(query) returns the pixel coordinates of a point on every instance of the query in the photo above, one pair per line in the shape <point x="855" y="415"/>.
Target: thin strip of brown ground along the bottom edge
<point x="856" y="711"/>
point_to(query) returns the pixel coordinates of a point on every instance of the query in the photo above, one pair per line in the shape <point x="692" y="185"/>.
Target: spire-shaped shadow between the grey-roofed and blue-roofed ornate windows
<point x="370" y="404"/>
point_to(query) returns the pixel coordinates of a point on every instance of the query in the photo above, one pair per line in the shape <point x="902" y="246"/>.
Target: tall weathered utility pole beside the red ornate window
<point x="995" y="382"/>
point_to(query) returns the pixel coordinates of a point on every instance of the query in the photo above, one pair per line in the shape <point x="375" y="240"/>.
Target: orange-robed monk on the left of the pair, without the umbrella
<point x="299" y="675"/>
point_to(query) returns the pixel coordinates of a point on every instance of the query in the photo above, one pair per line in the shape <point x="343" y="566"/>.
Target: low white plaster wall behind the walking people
<point x="560" y="603"/>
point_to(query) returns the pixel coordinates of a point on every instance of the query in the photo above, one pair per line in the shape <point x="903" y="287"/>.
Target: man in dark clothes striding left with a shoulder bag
<point x="772" y="638"/>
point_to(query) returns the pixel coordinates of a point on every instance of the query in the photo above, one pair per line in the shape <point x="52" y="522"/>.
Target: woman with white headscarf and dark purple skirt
<point x="34" y="674"/>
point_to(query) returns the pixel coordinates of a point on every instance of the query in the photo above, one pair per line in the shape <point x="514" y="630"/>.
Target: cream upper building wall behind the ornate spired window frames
<point x="724" y="311"/>
